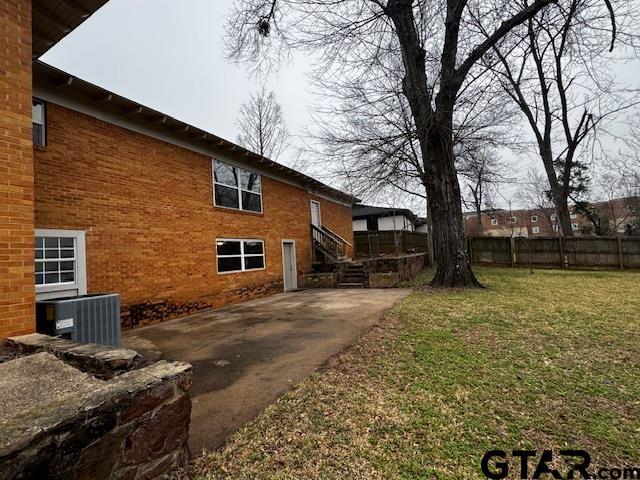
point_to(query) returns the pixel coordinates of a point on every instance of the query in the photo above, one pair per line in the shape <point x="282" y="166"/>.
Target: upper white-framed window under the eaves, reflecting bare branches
<point x="236" y="188"/>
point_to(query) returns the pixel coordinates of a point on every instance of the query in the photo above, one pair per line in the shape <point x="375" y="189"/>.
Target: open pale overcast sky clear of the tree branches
<point x="170" y="58"/>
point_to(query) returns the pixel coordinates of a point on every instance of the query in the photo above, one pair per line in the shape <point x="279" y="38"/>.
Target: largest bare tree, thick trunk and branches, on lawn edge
<point x="439" y="44"/>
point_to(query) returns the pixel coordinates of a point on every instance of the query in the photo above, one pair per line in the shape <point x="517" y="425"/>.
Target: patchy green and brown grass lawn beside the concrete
<point x="543" y="360"/>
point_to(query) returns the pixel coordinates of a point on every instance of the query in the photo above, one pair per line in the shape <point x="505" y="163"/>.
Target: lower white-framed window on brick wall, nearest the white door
<point x="239" y="255"/>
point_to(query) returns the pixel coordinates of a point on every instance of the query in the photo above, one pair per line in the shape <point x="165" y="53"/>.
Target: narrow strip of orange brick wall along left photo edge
<point x="16" y="170"/>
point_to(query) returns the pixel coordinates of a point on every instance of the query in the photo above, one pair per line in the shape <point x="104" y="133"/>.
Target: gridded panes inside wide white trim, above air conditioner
<point x="55" y="260"/>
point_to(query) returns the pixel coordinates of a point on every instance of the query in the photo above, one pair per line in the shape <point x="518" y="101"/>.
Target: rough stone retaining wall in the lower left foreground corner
<point x="57" y="422"/>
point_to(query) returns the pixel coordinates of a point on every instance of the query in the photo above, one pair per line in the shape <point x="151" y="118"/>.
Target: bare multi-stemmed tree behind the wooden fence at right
<point x="557" y="74"/>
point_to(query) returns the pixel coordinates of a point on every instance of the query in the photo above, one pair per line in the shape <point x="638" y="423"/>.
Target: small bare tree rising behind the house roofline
<point x="262" y="126"/>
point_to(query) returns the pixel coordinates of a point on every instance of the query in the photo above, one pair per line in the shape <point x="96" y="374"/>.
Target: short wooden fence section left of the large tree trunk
<point x="373" y="244"/>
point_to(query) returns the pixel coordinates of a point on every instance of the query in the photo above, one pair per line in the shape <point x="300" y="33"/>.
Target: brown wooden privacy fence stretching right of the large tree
<point x="575" y="252"/>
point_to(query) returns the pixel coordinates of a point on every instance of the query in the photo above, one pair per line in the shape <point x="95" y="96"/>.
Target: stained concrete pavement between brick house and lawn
<point x="246" y="355"/>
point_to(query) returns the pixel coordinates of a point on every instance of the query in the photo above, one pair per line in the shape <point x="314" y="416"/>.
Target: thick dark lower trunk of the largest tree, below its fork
<point x="453" y="268"/>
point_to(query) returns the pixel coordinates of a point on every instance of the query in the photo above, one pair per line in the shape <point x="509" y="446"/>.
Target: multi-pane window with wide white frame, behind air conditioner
<point x="60" y="265"/>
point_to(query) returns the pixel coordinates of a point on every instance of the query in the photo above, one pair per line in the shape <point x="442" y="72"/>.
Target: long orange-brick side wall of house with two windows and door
<point x="151" y="225"/>
